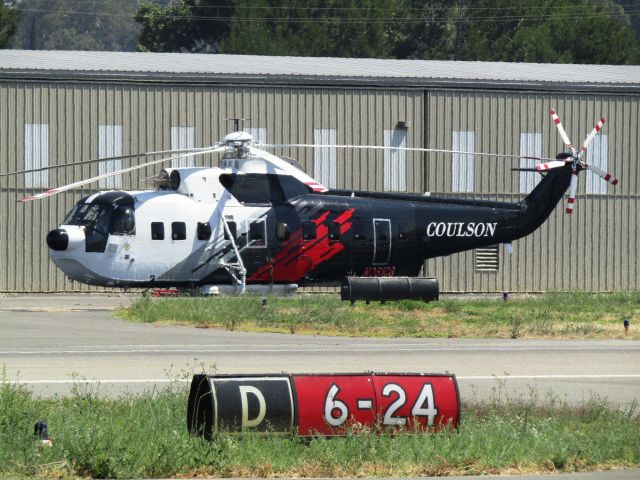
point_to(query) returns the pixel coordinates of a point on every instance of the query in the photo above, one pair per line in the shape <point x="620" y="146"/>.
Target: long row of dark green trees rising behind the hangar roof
<point x="545" y="31"/>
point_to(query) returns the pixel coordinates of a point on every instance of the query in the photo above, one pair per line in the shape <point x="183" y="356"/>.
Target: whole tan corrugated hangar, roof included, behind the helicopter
<point x="60" y="107"/>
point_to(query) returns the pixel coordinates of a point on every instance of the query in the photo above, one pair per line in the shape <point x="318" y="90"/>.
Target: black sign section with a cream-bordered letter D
<point x="263" y="404"/>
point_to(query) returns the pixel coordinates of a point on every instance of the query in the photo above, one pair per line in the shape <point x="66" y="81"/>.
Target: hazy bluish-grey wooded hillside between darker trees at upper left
<point x="64" y="25"/>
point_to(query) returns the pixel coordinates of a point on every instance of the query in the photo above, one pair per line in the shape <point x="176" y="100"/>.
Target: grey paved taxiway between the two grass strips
<point x="52" y="342"/>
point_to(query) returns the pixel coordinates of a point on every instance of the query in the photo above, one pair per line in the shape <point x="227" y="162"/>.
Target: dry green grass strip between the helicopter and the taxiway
<point x="557" y="315"/>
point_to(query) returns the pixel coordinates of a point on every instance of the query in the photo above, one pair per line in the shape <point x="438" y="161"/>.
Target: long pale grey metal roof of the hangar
<point x="138" y="66"/>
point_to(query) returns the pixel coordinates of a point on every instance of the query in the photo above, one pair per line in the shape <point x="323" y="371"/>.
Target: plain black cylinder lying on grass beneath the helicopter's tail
<point x="389" y="288"/>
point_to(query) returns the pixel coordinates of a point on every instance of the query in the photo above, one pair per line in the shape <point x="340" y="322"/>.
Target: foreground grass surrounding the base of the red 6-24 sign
<point x="146" y="436"/>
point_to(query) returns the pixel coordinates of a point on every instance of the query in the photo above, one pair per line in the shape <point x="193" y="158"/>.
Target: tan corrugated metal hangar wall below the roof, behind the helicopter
<point x="595" y="249"/>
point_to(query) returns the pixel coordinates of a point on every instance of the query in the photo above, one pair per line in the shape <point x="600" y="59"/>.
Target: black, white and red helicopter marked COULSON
<point x="259" y="219"/>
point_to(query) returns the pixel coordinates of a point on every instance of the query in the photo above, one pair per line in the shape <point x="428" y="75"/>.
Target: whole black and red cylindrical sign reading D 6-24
<point x="322" y="404"/>
